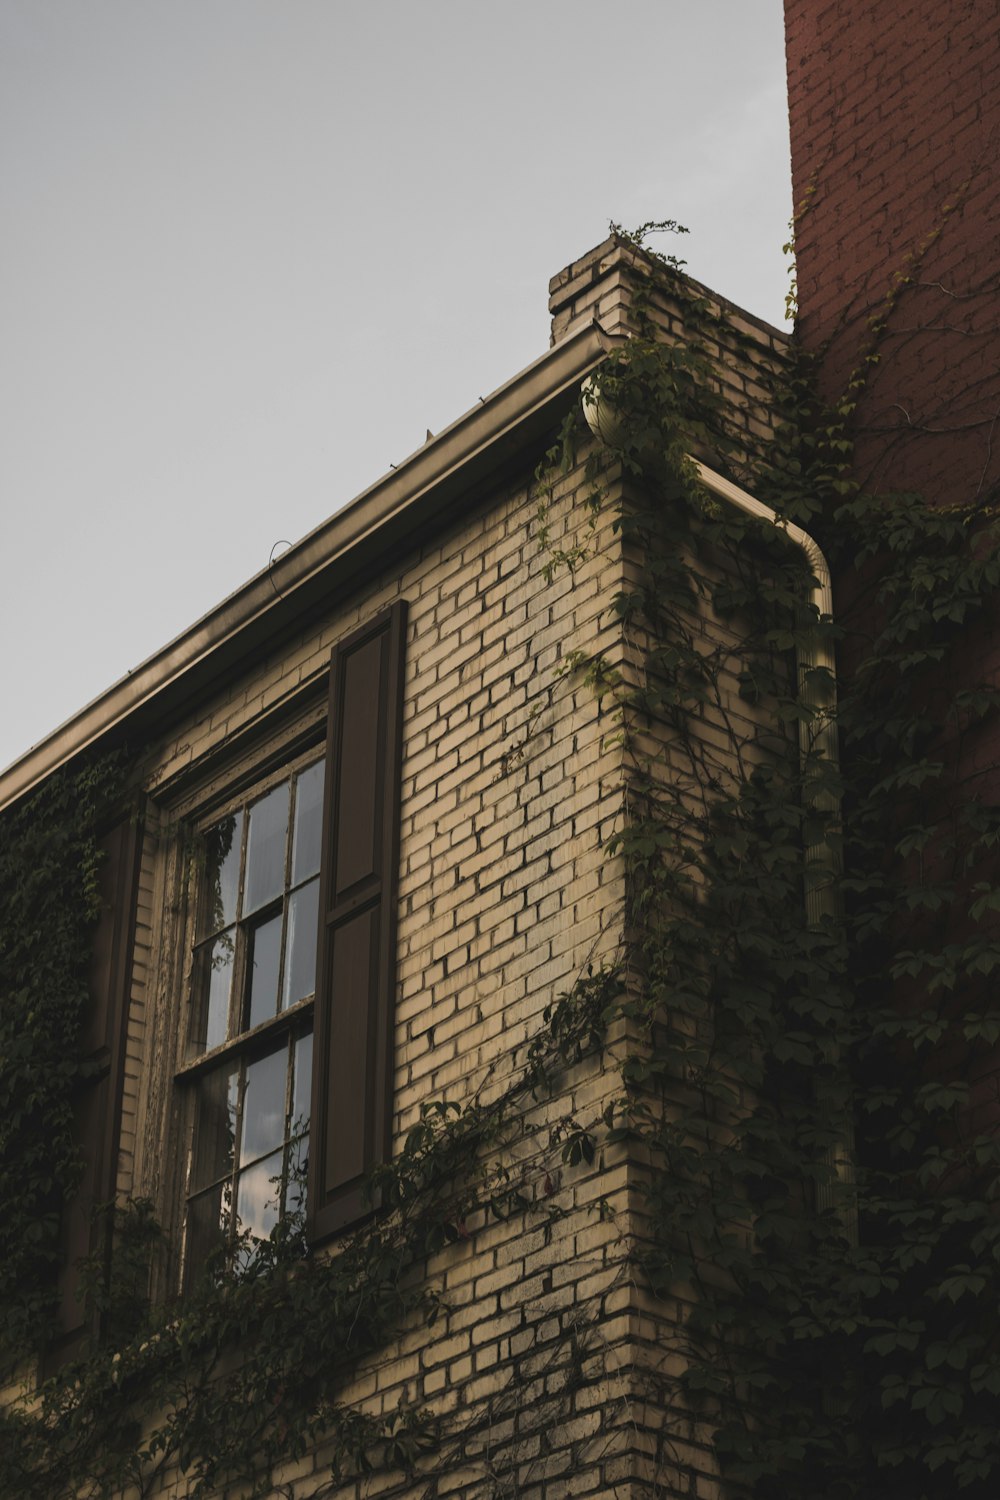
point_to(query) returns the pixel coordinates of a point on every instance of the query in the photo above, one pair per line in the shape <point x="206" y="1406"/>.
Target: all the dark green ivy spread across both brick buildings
<point x="812" y="1090"/>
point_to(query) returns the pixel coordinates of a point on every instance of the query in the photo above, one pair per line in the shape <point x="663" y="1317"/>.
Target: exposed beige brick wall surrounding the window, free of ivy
<point x="548" y="1366"/>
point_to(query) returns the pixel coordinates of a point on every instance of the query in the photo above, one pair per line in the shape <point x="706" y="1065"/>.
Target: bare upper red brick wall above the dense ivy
<point x="896" y="146"/>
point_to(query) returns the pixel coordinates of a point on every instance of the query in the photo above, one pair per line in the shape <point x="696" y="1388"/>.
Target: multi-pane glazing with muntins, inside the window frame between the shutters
<point x="254" y="980"/>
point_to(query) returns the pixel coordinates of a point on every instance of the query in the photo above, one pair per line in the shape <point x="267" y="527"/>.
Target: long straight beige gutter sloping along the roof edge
<point x="448" y="475"/>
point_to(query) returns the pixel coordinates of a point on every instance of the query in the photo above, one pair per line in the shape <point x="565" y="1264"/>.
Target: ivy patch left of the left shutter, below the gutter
<point x="50" y="865"/>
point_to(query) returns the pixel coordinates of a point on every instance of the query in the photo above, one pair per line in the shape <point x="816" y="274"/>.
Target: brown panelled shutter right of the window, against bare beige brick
<point x="356" y="976"/>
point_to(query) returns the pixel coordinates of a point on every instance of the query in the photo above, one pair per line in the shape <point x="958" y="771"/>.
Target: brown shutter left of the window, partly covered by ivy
<point x="98" y="1102"/>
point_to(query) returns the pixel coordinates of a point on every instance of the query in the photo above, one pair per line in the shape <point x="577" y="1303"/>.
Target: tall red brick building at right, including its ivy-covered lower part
<point x="894" y="121"/>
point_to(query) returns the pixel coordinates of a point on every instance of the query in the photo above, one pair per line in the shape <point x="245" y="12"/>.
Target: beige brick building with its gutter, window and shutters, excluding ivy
<point x="406" y="656"/>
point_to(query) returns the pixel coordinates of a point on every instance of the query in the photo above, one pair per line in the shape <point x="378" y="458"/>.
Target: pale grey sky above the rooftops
<point x="253" y="251"/>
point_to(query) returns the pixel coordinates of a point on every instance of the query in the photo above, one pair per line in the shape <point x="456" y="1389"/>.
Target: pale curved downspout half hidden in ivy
<point x="818" y="686"/>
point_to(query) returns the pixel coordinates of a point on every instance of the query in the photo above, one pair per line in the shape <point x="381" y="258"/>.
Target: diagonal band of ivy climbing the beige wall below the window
<point x="248" y="1373"/>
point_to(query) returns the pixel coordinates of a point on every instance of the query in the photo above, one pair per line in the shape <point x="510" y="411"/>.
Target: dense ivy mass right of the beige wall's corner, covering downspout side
<point x="842" y="1336"/>
